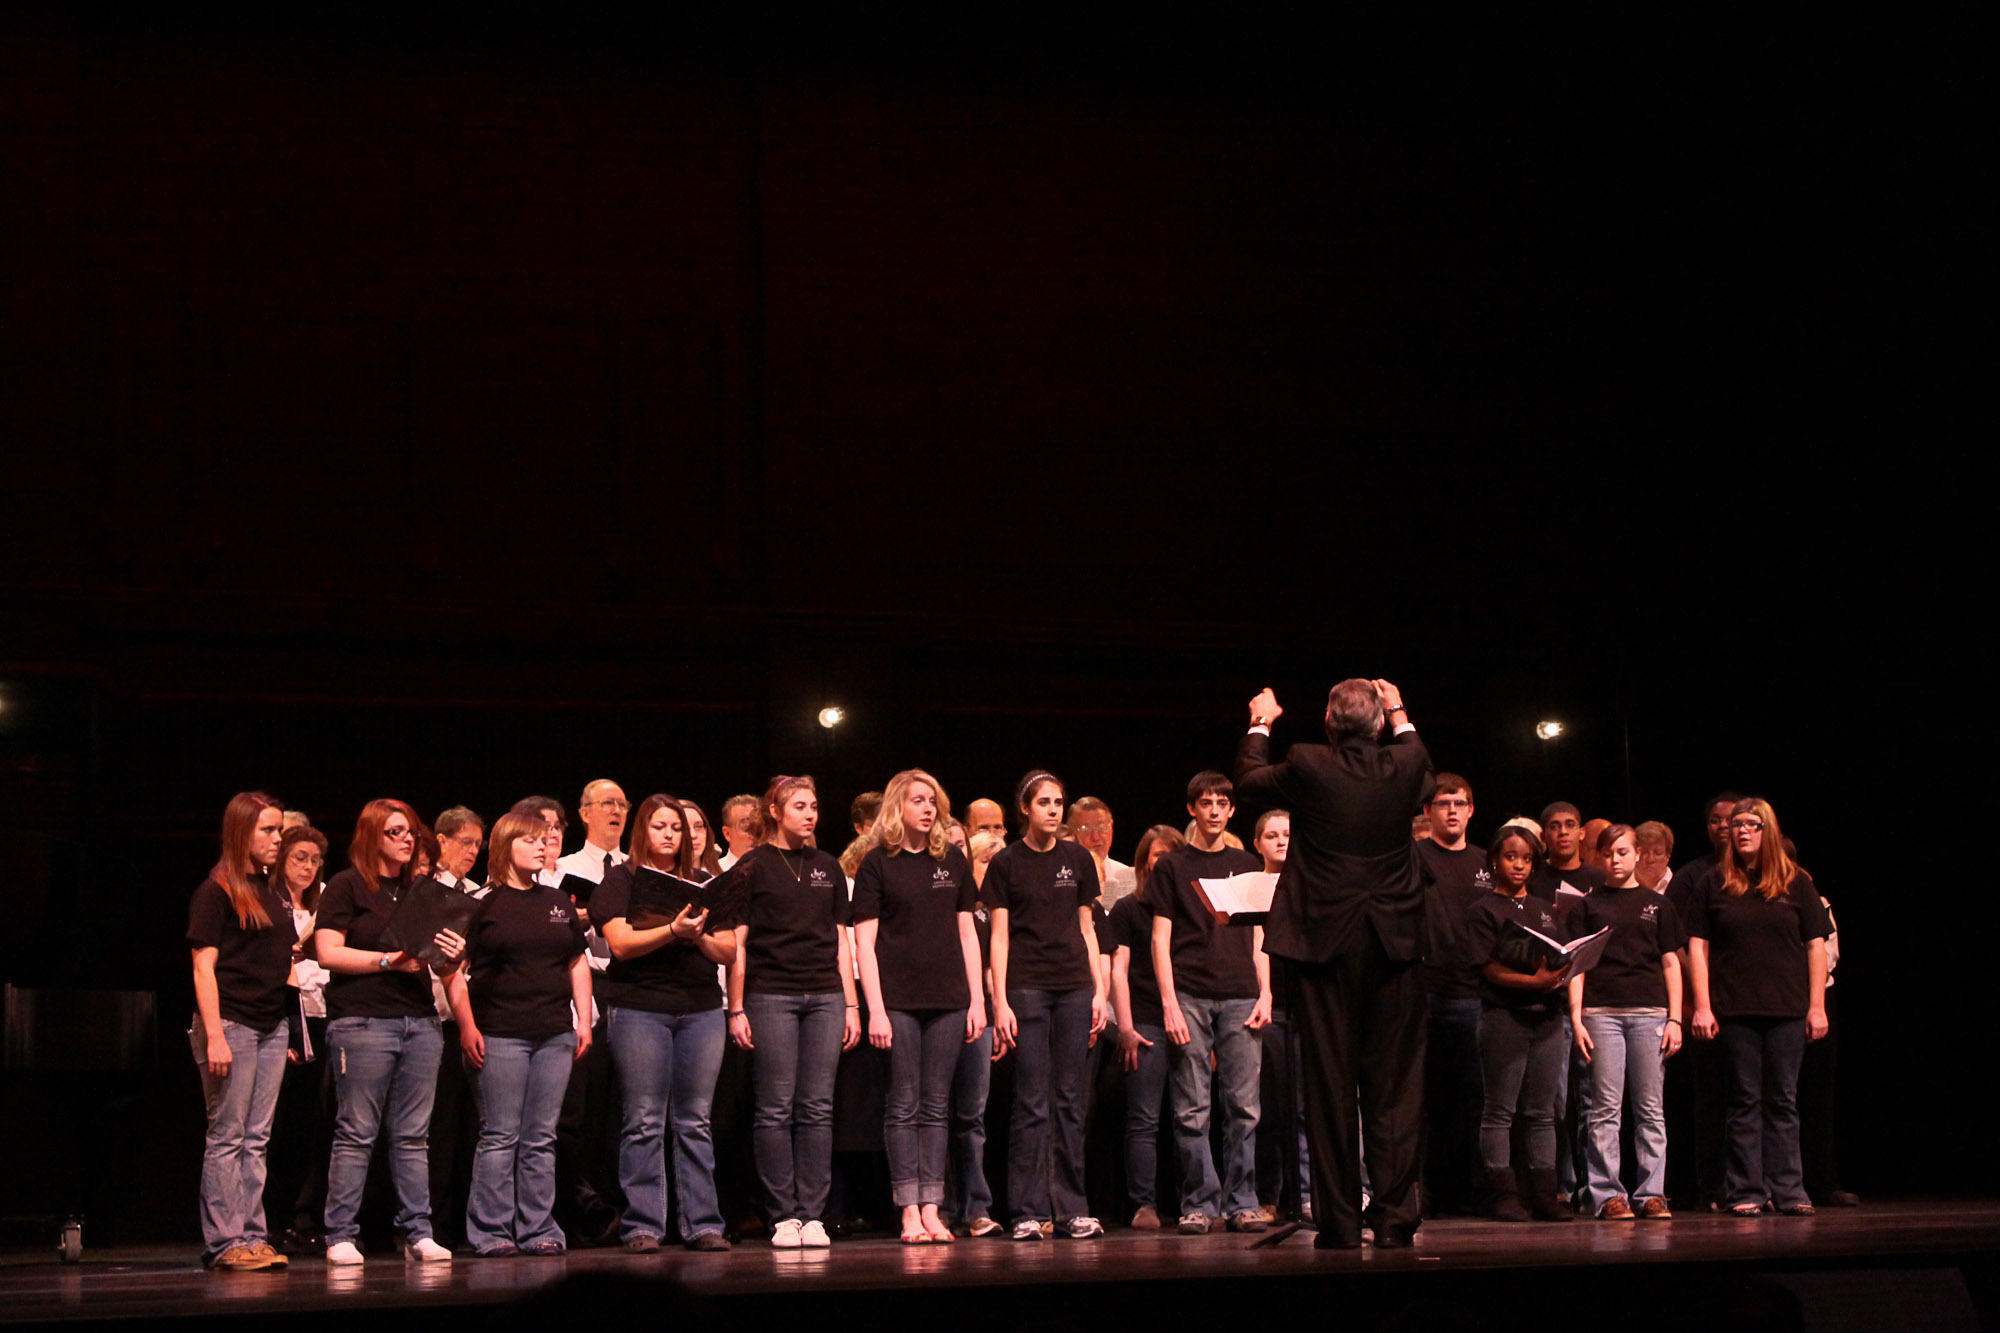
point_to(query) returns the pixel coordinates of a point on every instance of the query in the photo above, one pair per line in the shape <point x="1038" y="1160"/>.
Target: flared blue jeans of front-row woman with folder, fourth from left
<point x="669" y="1068"/>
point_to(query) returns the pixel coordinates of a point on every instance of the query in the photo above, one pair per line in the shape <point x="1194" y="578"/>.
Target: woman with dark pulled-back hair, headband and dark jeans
<point x="1049" y="1006"/>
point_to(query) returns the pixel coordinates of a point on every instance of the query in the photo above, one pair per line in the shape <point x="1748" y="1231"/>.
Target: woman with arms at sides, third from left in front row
<point x="523" y="1008"/>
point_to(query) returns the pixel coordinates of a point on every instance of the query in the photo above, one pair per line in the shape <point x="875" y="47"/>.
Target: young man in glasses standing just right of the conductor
<point x="1457" y="878"/>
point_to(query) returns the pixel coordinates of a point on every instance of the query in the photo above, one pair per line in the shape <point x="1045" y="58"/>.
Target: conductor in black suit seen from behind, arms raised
<point x="1351" y="922"/>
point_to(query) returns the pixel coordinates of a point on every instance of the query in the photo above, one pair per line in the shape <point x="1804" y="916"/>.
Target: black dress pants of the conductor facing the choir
<point x="1361" y="1032"/>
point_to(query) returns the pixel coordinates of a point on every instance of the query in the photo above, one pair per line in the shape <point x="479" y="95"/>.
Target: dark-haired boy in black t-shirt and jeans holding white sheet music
<point x="1215" y="994"/>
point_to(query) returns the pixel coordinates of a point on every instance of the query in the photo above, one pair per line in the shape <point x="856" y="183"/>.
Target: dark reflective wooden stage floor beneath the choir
<point x="1909" y="1264"/>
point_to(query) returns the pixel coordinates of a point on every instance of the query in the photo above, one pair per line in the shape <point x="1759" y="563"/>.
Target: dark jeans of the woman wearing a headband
<point x="1045" y="1154"/>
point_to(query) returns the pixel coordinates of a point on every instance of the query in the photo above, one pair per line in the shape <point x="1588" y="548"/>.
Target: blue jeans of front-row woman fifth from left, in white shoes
<point x="793" y="1064"/>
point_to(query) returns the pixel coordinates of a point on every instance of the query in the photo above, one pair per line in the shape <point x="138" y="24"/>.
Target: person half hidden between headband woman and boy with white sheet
<point x="1141" y="1026"/>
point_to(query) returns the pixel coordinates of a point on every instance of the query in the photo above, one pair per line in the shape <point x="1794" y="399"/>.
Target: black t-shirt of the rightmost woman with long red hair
<point x="1757" y="948"/>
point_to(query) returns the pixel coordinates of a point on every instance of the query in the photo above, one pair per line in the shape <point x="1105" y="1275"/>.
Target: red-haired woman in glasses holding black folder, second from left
<point x="383" y="1036"/>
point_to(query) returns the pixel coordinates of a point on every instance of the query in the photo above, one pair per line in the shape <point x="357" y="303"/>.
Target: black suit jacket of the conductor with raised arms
<point x="1353" y="862"/>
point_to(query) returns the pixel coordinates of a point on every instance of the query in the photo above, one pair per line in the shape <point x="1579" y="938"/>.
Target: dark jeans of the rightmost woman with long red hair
<point x="1761" y="1086"/>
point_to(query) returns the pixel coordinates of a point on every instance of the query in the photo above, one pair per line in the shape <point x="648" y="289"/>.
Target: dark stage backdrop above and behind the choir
<point x="457" y="407"/>
